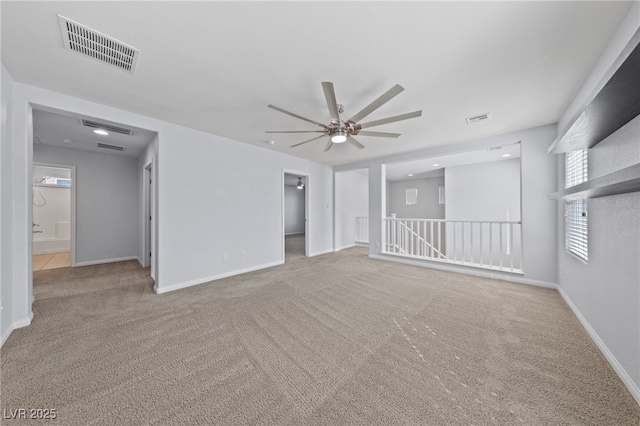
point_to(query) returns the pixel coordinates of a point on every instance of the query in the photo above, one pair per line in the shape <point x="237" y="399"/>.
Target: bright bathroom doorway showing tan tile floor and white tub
<point x="53" y="216"/>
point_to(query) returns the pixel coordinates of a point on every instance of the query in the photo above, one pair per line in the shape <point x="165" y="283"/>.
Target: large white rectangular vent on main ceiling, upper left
<point x="85" y="41"/>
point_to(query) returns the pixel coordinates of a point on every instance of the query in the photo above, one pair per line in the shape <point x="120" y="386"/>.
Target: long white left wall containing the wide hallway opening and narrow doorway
<point x="203" y="208"/>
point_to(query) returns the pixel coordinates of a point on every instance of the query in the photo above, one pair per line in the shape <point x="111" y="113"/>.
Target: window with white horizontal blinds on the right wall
<point x="576" y="224"/>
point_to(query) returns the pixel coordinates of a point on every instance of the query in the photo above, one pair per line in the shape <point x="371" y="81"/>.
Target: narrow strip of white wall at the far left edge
<point x="6" y="208"/>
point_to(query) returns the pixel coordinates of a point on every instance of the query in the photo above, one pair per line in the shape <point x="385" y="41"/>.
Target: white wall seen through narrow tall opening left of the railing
<point x="352" y="200"/>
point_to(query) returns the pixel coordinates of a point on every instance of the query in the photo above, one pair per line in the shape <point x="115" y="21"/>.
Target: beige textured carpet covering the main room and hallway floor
<point x="335" y="339"/>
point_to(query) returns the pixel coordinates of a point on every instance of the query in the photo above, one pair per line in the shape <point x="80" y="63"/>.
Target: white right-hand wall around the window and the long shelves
<point x="605" y="293"/>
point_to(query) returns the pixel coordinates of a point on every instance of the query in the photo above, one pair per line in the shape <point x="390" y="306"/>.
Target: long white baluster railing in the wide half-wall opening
<point x="495" y="245"/>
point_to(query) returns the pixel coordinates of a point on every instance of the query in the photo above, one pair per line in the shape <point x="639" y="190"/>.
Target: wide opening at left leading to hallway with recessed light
<point x="105" y="223"/>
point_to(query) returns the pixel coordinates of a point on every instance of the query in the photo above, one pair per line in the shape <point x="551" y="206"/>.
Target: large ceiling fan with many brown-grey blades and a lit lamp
<point x="340" y="131"/>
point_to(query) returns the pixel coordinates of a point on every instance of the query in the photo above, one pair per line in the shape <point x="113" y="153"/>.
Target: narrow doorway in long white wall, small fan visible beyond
<point x="295" y="202"/>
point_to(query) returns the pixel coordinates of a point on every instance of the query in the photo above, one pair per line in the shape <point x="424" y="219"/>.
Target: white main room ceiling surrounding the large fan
<point x="215" y="66"/>
